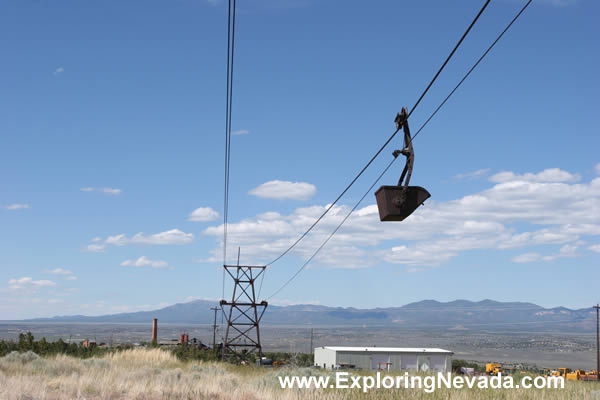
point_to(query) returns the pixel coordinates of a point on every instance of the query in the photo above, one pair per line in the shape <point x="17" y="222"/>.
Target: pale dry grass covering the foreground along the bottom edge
<point x="143" y="374"/>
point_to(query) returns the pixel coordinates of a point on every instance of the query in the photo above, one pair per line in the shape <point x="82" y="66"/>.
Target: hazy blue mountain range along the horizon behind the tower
<point x="454" y="315"/>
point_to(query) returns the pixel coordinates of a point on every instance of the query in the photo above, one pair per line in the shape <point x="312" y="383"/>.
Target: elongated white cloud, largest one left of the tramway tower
<point x="170" y="237"/>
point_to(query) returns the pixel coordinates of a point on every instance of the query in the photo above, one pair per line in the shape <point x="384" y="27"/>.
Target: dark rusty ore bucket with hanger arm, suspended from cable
<point x="396" y="203"/>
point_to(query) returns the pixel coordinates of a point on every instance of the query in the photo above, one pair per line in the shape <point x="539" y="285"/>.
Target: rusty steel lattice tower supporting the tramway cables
<point x="243" y="313"/>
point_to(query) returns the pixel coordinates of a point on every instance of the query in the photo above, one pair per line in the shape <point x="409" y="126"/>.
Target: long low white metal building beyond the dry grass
<point x="384" y="358"/>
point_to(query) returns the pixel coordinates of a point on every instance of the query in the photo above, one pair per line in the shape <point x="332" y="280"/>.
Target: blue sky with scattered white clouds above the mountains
<point x="112" y="134"/>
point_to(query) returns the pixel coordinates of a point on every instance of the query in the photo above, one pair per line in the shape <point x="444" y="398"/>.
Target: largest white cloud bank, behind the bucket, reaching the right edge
<point x="548" y="208"/>
